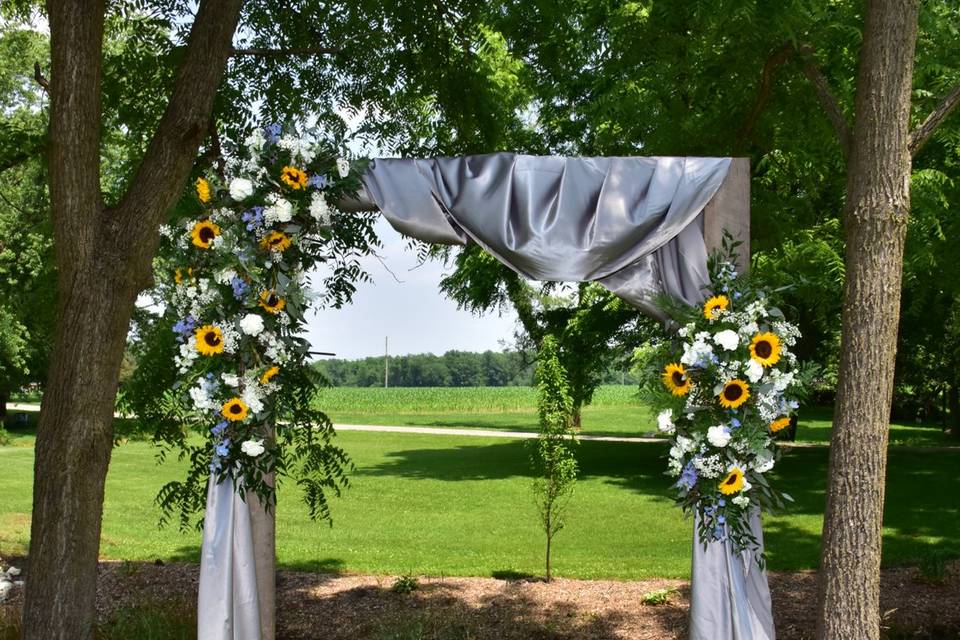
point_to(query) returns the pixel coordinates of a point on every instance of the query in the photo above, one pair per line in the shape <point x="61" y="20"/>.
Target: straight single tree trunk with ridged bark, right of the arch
<point x="875" y="215"/>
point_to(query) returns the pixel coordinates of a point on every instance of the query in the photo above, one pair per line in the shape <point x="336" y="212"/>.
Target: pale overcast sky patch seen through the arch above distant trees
<point x="413" y="312"/>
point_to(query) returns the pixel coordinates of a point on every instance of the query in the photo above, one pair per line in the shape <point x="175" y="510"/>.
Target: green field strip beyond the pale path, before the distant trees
<point x="615" y="410"/>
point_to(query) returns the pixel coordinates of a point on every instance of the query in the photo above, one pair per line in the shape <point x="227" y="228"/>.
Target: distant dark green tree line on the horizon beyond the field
<point x="452" y="369"/>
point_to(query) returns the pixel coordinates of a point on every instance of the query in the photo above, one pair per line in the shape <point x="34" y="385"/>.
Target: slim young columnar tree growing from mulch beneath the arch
<point x="553" y="458"/>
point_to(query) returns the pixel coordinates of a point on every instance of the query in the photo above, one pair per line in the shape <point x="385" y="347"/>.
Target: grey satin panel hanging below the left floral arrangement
<point x="227" y="605"/>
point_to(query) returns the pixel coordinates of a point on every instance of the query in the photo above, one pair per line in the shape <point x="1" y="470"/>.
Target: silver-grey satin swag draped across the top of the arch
<point x="632" y="224"/>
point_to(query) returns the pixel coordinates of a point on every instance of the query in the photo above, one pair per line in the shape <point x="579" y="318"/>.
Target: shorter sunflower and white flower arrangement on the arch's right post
<point x="726" y="385"/>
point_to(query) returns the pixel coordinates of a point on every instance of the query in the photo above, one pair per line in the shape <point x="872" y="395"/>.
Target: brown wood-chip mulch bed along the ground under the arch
<point x="335" y="607"/>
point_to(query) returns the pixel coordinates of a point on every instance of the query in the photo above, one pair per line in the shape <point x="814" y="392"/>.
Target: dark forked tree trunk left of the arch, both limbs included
<point x="104" y="259"/>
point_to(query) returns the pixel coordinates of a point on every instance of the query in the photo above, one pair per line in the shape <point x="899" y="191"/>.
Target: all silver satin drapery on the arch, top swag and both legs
<point x="632" y="224"/>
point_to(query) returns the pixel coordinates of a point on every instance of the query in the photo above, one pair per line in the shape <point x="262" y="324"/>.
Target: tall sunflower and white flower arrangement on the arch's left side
<point x="233" y="272"/>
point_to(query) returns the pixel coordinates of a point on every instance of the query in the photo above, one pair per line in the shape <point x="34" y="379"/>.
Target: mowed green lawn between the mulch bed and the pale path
<point x="449" y="505"/>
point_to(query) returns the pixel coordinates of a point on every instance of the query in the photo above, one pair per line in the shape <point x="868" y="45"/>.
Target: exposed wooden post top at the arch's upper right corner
<point x="729" y="210"/>
